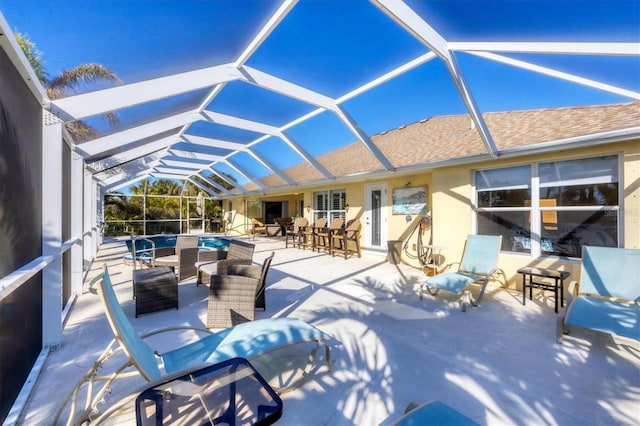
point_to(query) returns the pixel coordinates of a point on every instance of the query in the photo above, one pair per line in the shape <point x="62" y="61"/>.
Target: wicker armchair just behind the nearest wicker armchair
<point x="217" y="262"/>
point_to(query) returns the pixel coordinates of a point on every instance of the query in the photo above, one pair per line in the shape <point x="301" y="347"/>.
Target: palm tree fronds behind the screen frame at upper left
<point x="64" y="84"/>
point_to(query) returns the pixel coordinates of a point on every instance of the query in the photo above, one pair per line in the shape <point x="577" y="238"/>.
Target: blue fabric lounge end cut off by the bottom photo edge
<point x="433" y="413"/>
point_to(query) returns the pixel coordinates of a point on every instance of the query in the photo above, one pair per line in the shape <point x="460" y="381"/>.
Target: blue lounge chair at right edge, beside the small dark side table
<point x="607" y="298"/>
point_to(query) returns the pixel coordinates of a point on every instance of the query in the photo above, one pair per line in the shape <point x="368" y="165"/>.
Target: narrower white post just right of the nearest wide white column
<point x="77" y="192"/>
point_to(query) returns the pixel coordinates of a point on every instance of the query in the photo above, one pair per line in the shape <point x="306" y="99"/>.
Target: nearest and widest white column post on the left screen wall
<point x="52" y="230"/>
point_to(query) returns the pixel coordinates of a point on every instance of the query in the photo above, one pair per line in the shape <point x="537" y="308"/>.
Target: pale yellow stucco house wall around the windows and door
<point x="449" y="196"/>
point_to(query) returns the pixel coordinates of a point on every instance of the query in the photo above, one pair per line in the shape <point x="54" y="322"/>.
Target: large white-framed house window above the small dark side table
<point x="551" y="208"/>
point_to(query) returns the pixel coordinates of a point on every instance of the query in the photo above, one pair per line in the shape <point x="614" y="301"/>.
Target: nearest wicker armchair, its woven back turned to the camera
<point x="233" y="298"/>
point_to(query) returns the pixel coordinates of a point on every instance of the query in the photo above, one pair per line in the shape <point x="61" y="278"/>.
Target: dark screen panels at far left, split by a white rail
<point x="20" y="229"/>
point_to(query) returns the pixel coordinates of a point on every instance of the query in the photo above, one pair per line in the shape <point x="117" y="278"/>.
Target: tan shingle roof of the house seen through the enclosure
<point x="453" y="137"/>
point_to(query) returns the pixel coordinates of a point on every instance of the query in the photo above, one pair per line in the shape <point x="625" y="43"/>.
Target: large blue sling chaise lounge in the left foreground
<point x="247" y="340"/>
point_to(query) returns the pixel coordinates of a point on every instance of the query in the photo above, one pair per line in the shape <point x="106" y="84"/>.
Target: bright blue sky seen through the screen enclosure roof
<point x="331" y="47"/>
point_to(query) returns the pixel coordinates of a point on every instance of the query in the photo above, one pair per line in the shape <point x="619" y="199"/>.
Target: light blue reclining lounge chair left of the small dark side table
<point x="478" y="264"/>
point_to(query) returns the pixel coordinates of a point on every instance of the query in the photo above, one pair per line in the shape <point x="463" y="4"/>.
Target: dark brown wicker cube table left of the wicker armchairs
<point x="155" y="289"/>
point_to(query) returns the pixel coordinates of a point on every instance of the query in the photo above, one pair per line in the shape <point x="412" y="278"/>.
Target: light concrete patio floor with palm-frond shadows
<point x="497" y="364"/>
